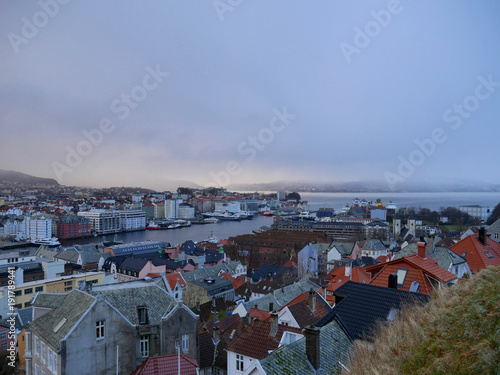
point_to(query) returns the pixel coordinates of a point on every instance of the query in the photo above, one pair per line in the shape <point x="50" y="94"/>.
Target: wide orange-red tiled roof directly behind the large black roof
<point x="417" y="270"/>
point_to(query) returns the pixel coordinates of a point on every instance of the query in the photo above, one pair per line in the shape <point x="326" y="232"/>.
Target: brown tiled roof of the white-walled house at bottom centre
<point x="255" y="341"/>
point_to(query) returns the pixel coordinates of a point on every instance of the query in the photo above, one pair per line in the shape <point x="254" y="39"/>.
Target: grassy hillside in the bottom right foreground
<point x="458" y="332"/>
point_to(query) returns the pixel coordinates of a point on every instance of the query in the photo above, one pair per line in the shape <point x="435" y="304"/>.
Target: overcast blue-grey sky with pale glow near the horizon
<point x="136" y="93"/>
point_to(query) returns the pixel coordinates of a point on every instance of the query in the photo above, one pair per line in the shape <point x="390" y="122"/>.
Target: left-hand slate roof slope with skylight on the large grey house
<point x="72" y="308"/>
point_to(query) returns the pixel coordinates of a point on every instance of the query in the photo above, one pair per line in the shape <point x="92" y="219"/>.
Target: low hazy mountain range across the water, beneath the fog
<point x="446" y="185"/>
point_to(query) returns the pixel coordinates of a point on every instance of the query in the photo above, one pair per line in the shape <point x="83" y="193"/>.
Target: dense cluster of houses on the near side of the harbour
<point x="156" y="307"/>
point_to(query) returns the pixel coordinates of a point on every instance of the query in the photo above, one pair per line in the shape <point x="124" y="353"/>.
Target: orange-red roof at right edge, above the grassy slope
<point x="478" y="256"/>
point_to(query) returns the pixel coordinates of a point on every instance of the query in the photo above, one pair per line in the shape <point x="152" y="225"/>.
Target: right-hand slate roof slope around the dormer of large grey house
<point x="127" y="297"/>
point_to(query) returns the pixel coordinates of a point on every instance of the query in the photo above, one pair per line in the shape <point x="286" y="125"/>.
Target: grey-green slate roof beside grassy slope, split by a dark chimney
<point x="335" y="344"/>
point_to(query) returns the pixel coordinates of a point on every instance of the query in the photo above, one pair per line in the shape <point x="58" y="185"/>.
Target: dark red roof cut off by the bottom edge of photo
<point x="167" y="364"/>
